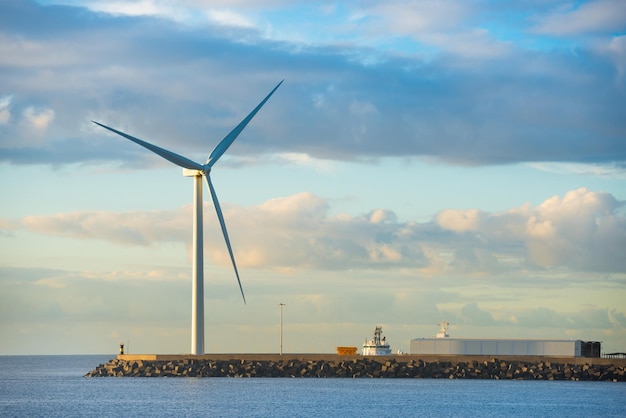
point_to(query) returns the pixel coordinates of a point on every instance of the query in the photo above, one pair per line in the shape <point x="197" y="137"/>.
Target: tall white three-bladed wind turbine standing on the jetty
<point x="198" y="171"/>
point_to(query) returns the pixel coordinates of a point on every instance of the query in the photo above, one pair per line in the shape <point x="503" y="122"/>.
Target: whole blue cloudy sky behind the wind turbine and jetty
<point x="424" y="161"/>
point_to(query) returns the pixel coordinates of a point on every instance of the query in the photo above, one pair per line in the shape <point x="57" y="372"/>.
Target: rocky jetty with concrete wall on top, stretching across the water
<point x="336" y="366"/>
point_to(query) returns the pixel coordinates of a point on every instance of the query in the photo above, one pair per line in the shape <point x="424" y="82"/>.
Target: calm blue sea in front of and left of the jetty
<point x="53" y="386"/>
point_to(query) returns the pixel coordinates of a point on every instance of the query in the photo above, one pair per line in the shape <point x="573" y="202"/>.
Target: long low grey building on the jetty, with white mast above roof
<point x="442" y="344"/>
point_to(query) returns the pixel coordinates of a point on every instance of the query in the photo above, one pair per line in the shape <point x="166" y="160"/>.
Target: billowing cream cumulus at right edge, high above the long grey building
<point x="581" y="230"/>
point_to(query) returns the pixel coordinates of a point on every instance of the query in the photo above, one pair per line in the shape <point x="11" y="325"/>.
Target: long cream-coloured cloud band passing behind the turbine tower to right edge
<point x="582" y="230"/>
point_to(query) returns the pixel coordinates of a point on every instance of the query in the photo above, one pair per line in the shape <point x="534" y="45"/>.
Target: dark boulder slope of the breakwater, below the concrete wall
<point x="363" y="367"/>
